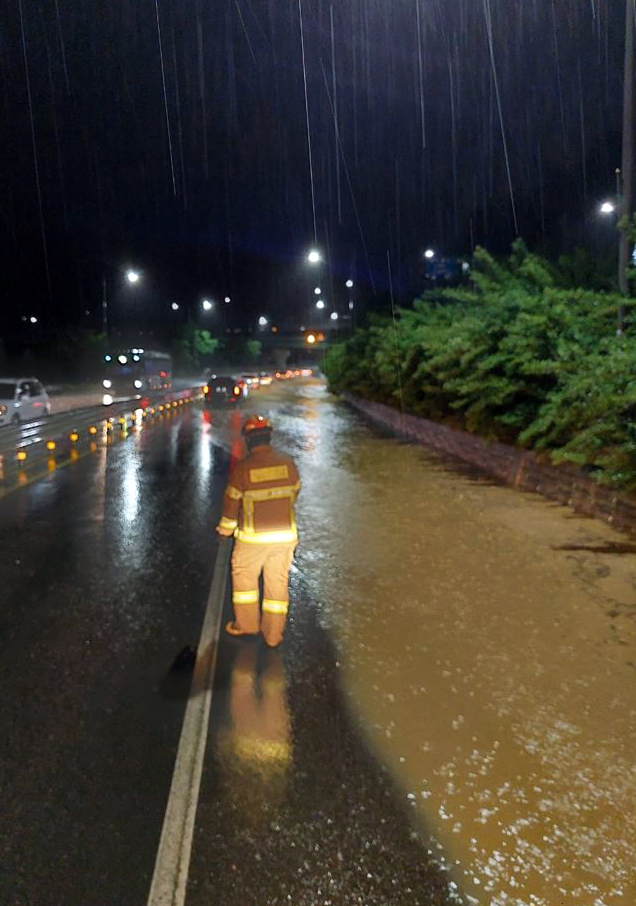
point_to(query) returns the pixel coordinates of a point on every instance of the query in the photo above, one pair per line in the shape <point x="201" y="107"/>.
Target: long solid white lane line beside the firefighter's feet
<point x="170" y="876"/>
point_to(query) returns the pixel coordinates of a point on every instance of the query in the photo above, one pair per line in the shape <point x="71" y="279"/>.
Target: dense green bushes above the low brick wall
<point x="520" y="355"/>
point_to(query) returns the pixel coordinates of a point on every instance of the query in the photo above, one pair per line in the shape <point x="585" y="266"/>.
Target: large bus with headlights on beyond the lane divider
<point x="132" y="372"/>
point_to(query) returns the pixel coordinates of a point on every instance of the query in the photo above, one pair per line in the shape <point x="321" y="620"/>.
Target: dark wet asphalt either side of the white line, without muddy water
<point x="105" y="571"/>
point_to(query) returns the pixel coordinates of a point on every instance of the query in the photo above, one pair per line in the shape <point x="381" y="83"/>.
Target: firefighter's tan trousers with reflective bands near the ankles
<point x="248" y="562"/>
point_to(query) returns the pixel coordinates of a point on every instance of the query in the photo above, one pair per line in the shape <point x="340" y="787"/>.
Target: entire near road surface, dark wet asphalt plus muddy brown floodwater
<point x="456" y="689"/>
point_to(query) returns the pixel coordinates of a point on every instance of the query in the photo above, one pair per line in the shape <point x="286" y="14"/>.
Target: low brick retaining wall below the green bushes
<point x="520" y="469"/>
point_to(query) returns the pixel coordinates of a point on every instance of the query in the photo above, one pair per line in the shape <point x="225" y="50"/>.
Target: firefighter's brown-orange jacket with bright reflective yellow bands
<point x="258" y="505"/>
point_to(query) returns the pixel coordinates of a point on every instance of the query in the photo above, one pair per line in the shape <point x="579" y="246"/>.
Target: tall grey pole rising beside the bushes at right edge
<point x="627" y="167"/>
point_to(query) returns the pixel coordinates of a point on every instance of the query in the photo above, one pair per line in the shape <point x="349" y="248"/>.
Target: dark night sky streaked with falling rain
<point x="206" y="186"/>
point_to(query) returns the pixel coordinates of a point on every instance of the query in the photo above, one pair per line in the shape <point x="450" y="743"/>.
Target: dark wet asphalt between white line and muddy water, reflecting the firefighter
<point x="294" y="808"/>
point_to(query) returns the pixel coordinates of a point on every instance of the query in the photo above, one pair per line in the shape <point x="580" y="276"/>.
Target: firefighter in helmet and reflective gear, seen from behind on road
<point x="258" y="509"/>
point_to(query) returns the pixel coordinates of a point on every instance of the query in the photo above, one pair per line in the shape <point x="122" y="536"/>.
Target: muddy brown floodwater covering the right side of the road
<point x="488" y="646"/>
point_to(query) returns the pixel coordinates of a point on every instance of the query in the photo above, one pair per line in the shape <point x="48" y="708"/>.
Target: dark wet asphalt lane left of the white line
<point x="104" y="575"/>
